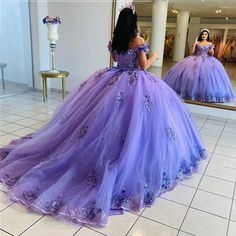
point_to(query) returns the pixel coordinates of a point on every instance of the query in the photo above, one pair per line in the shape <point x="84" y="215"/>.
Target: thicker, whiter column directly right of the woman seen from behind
<point x="159" y="17"/>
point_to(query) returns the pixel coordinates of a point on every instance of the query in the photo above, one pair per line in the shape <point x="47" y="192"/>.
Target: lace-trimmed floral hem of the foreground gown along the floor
<point x="119" y="204"/>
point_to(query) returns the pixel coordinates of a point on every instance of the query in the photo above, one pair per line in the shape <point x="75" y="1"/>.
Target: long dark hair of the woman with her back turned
<point x="125" y="30"/>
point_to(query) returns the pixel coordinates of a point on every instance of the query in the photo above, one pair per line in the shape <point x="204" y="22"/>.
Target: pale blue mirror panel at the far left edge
<point x="15" y="57"/>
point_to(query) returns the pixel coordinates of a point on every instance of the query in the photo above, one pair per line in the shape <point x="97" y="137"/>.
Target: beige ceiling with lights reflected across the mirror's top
<point x="201" y="8"/>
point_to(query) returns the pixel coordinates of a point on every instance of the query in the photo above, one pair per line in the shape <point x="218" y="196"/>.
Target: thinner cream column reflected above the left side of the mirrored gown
<point x="180" y="36"/>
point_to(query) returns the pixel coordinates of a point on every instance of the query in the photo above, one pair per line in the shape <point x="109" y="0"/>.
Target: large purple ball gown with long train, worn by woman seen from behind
<point x="118" y="141"/>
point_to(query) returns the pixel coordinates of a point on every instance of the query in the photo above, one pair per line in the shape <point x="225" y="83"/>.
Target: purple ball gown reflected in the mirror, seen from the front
<point x="200" y="77"/>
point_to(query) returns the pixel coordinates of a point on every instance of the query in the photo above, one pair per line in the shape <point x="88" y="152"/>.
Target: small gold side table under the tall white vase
<point x="49" y="74"/>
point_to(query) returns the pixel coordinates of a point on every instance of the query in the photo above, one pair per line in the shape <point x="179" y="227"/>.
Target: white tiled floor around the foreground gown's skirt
<point x="204" y="205"/>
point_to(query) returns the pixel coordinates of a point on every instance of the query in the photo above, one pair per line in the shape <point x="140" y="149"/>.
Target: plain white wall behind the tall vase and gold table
<point x="83" y="38"/>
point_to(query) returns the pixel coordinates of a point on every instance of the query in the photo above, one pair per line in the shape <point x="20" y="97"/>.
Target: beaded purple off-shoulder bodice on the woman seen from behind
<point x="129" y="59"/>
